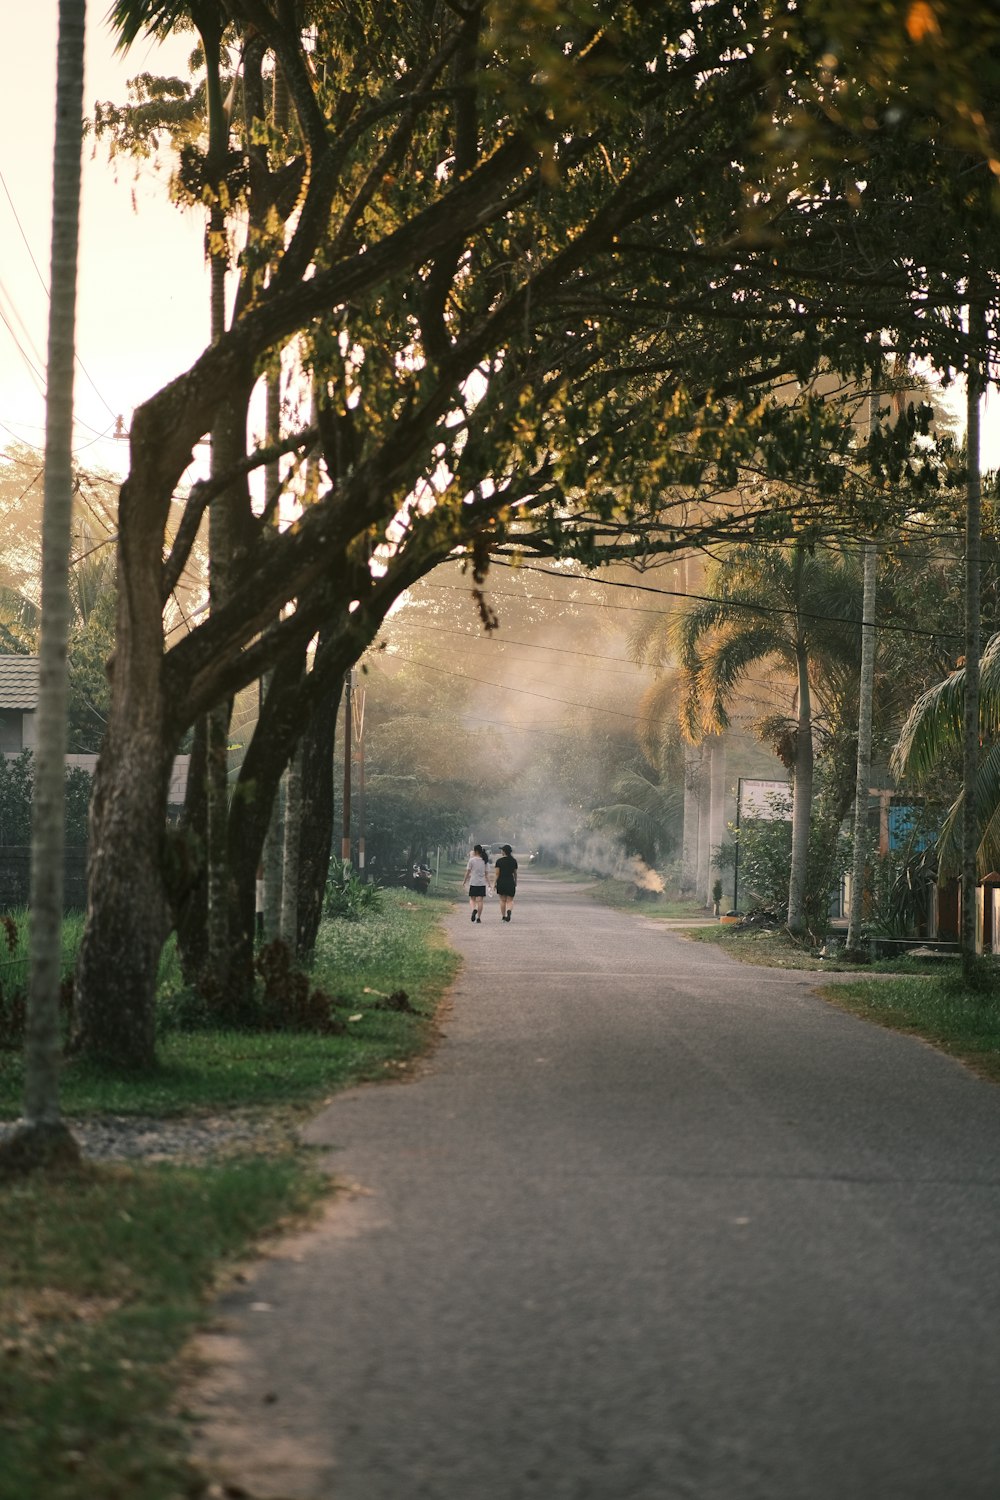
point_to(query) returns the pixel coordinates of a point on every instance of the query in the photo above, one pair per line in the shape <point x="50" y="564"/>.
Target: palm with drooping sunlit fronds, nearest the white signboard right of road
<point x="791" y="605"/>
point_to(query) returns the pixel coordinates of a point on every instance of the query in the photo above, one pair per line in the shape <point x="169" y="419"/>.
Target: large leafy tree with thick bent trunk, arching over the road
<point x="534" y="277"/>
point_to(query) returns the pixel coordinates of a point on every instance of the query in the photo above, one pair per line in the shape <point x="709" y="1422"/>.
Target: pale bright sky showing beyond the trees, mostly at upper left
<point x="143" y="298"/>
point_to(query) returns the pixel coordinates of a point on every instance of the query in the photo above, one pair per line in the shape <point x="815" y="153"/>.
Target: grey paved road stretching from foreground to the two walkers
<point x="650" y="1226"/>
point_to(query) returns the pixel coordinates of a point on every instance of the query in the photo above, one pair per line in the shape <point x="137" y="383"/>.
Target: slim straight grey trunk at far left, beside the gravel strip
<point x="43" y="1043"/>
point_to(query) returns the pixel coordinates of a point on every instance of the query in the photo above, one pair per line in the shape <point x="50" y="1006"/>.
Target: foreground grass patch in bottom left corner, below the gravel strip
<point x="106" y="1276"/>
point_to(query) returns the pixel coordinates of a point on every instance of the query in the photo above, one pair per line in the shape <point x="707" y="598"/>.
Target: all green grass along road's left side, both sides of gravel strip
<point x="107" y="1273"/>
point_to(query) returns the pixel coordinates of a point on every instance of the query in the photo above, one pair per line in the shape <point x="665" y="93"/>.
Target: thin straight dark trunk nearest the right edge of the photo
<point x="971" y="712"/>
